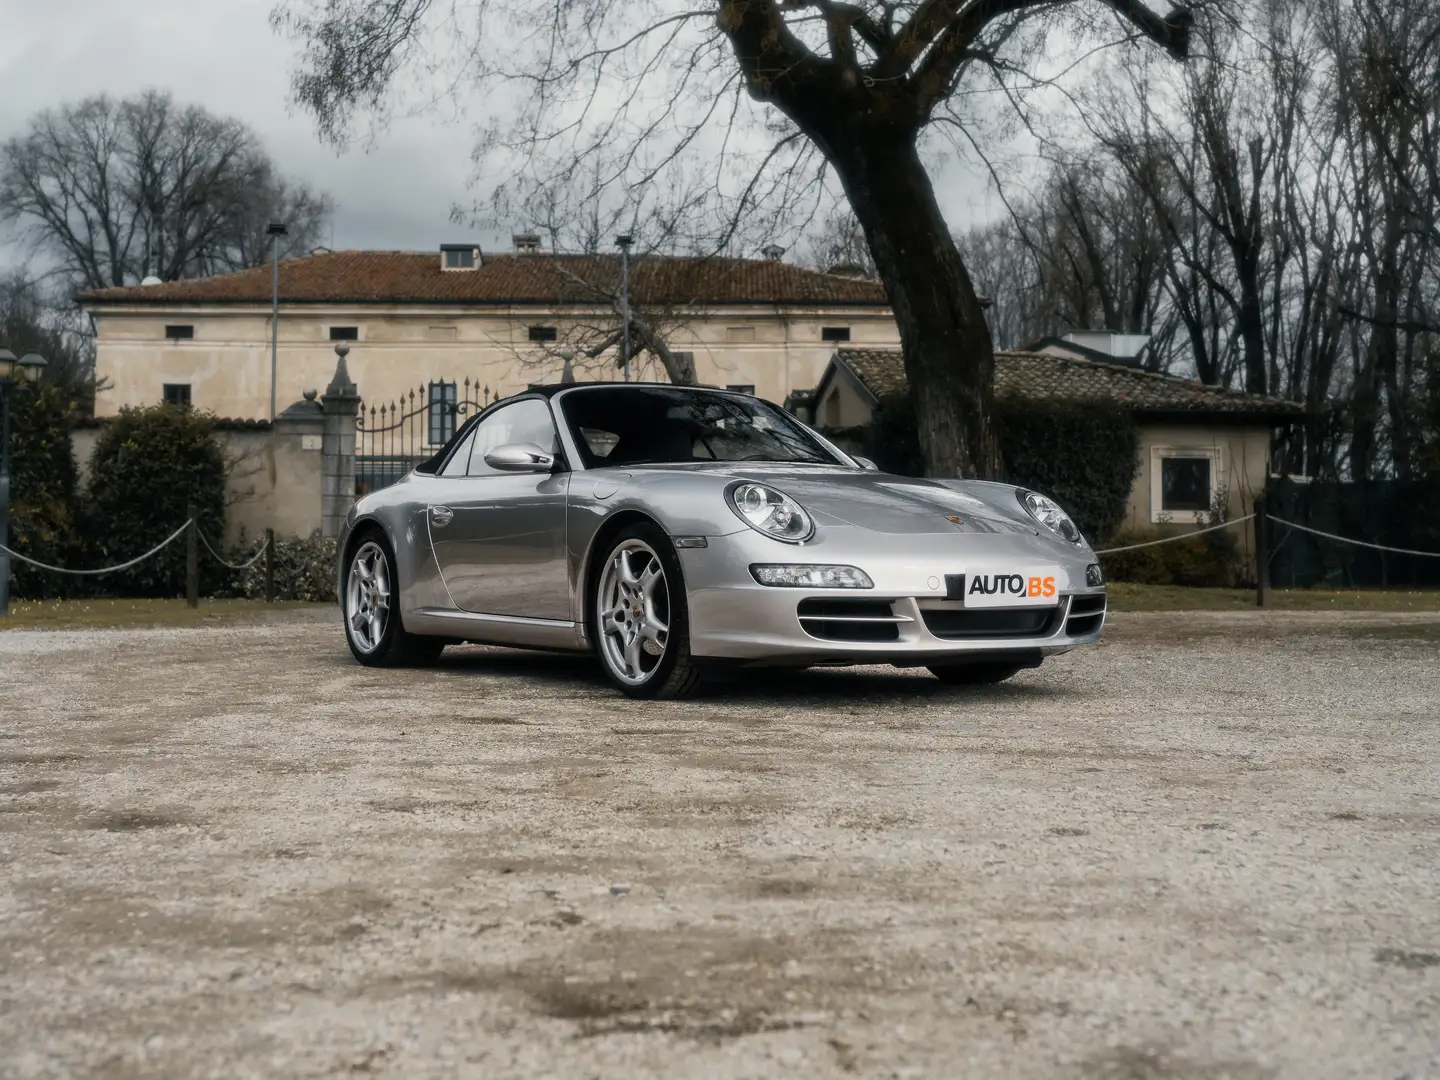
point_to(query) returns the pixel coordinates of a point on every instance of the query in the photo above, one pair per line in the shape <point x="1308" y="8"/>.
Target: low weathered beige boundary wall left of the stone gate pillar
<point x="273" y="482"/>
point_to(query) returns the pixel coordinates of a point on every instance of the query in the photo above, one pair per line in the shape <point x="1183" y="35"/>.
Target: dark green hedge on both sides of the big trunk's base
<point x="1082" y="454"/>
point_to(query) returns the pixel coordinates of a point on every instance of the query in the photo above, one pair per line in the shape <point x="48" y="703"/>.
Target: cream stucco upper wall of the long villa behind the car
<point x="228" y="362"/>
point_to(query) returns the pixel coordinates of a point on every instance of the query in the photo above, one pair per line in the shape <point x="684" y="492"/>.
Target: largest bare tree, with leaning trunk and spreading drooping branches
<point x="654" y="90"/>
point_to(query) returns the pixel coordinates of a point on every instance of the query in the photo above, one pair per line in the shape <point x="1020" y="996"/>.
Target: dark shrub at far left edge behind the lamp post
<point x="44" y="489"/>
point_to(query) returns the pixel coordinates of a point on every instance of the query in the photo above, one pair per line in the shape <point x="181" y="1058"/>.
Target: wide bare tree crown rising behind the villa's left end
<point x="117" y="191"/>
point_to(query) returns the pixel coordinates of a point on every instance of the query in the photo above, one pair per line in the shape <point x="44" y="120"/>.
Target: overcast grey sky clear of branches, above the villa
<point x="222" y="55"/>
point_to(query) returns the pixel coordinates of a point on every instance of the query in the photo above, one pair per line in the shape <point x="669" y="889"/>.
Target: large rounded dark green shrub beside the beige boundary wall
<point x="149" y="466"/>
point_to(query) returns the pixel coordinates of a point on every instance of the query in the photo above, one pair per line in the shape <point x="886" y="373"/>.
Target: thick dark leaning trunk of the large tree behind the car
<point x="950" y="359"/>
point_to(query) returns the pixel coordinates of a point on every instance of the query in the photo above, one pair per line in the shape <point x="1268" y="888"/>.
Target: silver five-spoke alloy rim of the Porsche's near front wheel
<point x="634" y="613"/>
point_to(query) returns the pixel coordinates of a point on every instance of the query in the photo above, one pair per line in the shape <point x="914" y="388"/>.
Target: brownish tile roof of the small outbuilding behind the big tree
<point x="1042" y="375"/>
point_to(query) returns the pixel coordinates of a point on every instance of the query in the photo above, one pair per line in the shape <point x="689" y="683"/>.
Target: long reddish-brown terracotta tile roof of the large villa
<point x="364" y="277"/>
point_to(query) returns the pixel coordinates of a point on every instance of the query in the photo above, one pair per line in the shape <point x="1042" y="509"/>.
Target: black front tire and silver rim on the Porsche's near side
<point x="640" y="620"/>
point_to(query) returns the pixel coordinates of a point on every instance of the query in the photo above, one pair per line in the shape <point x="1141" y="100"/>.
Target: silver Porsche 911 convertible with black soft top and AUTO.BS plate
<point x="680" y="531"/>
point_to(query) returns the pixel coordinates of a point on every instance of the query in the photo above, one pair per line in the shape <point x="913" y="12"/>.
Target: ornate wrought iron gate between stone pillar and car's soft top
<point x="394" y="438"/>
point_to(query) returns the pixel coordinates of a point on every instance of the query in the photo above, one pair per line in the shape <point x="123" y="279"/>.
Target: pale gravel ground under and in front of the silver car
<point x="1206" y="849"/>
